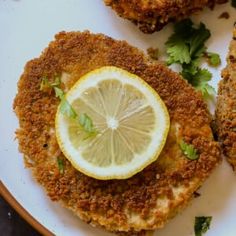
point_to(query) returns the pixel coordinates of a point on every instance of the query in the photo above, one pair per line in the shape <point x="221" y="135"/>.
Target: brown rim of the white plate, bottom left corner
<point x="5" y="193"/>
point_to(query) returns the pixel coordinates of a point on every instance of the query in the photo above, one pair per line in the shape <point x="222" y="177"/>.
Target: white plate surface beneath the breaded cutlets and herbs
<point x="27" y="26"/>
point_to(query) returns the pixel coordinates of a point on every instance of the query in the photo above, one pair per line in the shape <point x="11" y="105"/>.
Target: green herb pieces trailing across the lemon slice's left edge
<point x="66" y="108"/>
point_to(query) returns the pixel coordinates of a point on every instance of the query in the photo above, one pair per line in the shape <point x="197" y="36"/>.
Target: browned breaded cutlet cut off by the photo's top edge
<point x="151" y="16"/>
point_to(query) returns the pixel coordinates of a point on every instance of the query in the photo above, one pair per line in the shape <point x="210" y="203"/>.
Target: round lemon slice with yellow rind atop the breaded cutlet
<point x="130" y="119"/>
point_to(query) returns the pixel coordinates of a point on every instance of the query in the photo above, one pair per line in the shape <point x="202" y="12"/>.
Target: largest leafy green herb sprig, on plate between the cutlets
<point x="186" y="46"/>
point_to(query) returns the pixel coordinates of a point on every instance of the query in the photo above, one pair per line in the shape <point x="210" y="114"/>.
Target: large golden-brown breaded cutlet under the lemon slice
<point x="145" y="201"/>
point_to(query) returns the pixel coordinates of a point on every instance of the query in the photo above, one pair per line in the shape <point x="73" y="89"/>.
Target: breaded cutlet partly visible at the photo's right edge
<point x="226" y="106"/>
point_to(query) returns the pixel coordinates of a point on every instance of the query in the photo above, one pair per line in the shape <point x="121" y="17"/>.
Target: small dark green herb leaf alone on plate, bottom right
<point x="202" y="224"/>
